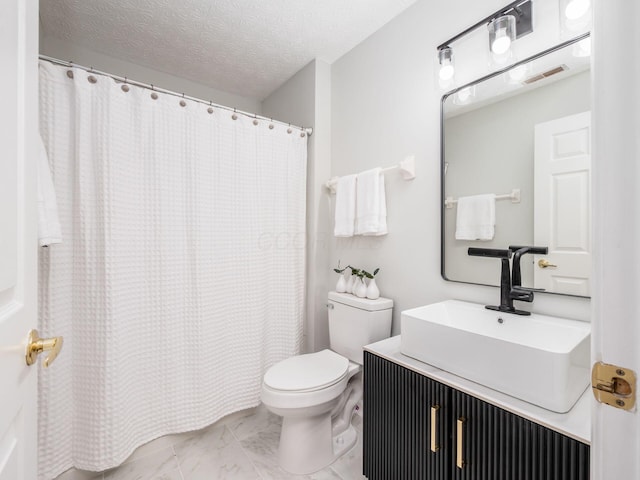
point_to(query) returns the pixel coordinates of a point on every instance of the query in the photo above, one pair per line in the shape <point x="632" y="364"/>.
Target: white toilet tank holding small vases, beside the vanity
<point x="355" y="322"/>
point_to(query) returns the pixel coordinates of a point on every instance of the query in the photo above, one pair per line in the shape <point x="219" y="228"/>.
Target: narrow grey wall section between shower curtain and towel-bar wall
<point x="305" y="100"/>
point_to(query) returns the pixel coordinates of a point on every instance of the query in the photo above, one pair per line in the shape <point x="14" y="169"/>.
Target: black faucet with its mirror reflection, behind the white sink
<point x="510" y="282"/>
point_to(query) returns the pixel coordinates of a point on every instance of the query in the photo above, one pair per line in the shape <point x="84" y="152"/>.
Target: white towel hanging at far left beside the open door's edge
<point x="48" y="222"/>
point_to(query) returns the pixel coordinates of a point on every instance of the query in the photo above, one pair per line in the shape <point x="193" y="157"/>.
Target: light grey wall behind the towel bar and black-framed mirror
<point x="385" y="105"/>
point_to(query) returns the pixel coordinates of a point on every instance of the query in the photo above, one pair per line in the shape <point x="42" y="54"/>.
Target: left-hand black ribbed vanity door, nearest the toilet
<point x="397" y="423"/>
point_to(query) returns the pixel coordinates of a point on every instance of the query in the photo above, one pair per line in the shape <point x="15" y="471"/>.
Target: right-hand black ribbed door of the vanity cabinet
<point x="498" y="445"/>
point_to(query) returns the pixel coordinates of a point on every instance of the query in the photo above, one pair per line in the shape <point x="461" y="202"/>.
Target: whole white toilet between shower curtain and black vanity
<point x="317" y="393"/>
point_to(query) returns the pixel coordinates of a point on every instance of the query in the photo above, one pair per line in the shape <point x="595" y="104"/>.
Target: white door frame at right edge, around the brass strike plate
<point x="615" y="322"/>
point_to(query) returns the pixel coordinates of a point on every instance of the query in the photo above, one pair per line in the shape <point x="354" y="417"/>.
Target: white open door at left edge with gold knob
<point x="18" y="238"/>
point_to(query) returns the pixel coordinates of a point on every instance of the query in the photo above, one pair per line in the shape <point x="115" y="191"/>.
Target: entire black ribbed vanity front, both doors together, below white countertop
<point x="494" y="444"/>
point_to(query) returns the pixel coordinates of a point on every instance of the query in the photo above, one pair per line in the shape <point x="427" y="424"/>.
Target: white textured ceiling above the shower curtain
<point x="246" y="47"/>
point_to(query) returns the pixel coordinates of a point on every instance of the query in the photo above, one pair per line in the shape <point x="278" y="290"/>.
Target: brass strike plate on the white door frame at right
<point x="613" y="385"/>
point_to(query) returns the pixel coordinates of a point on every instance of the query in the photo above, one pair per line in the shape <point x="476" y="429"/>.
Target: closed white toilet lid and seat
<point x="307" y="373"/>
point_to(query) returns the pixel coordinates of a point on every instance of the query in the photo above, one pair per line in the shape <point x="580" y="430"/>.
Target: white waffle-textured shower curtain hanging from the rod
<point x="180" y="278"/>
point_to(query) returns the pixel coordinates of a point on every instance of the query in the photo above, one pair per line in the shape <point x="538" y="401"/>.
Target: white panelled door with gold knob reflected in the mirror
<point x="562" y="209"/>
